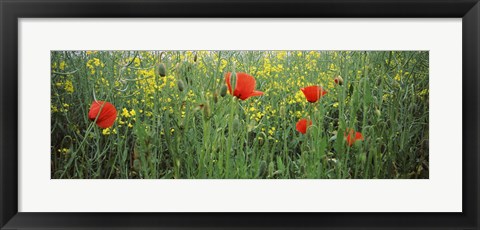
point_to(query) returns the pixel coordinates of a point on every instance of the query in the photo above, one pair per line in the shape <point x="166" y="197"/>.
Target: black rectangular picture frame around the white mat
<point x="11" y="11"/>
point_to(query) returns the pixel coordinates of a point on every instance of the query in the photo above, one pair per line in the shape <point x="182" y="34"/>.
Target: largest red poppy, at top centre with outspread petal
<point x="244" y="87"/>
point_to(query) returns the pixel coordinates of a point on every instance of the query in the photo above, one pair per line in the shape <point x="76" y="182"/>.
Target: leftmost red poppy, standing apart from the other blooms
<point x="107" y="115"/>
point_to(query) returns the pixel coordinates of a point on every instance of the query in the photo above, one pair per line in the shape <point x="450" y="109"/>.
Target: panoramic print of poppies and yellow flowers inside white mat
<point x="239" y="114"/>
